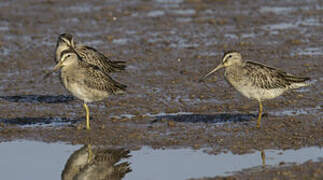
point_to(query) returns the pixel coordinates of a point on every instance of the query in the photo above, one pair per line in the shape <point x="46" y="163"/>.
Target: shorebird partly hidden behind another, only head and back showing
<point x="88" y="54"/>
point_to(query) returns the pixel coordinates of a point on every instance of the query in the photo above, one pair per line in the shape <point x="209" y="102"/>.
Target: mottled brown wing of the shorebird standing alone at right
<point x="266" y="77"/>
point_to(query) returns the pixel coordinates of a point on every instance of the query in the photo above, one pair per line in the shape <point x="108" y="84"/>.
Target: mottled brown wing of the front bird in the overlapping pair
<point x="99" y="80"/>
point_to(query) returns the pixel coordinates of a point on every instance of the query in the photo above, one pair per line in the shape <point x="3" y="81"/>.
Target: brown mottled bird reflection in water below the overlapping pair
<point x="90" y="163"/>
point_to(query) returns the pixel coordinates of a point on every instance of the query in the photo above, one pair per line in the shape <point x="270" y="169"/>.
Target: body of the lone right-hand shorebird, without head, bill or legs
<point x="258" y="81"/>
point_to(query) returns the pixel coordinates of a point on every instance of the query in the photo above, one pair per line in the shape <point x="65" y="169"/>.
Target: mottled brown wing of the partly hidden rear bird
<point x="94" y="57"/>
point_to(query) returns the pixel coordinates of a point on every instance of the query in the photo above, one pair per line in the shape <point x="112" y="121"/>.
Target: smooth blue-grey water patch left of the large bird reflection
<point x="33" y="160"/>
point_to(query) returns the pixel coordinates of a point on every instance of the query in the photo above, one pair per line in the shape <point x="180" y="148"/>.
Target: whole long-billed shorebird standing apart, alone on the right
<point x="255" y="80"/>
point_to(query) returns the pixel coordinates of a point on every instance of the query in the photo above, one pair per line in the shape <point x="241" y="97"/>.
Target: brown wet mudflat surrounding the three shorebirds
<point x="168" y="45"/>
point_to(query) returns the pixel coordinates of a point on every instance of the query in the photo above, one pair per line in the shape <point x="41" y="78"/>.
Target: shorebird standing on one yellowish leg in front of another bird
<point x="85" y="81"/>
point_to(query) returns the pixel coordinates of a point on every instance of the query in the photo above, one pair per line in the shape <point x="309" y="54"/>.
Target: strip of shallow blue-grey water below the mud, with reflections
<point x="39" y="160"/>
